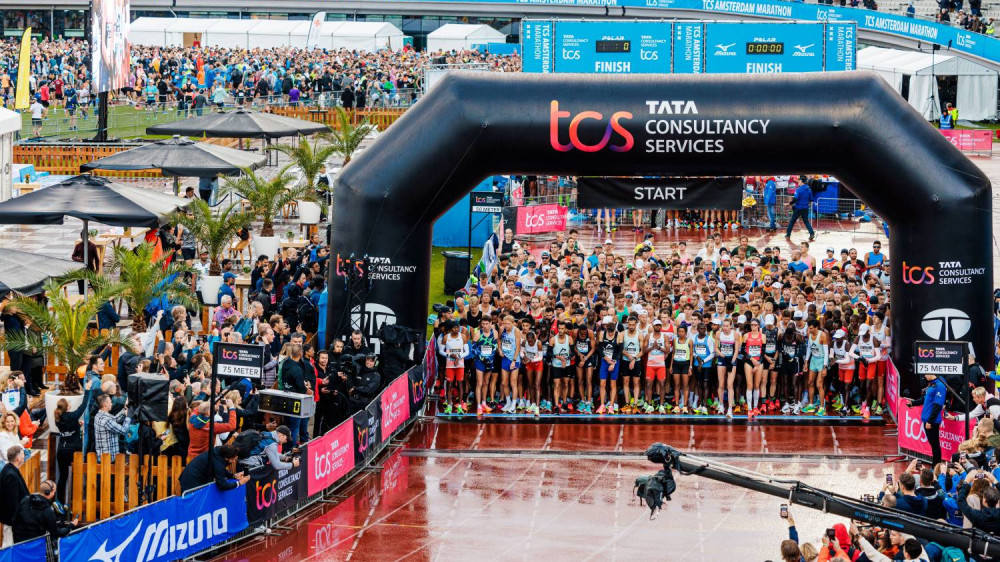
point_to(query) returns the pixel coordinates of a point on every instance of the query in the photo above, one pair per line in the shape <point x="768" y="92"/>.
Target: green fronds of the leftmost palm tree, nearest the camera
<point x="62" y="328"/>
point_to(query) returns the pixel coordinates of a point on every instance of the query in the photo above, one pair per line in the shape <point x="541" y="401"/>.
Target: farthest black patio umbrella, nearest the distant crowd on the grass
<point x="241" y="123"/>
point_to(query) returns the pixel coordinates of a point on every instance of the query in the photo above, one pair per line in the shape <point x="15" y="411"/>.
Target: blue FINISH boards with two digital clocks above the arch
<point x="687" y="47"/>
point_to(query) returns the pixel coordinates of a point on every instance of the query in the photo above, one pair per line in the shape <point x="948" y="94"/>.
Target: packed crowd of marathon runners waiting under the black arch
<point x="660" y="329"/>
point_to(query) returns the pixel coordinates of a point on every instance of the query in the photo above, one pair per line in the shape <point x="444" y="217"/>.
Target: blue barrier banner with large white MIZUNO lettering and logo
<point x="168" y="530"/>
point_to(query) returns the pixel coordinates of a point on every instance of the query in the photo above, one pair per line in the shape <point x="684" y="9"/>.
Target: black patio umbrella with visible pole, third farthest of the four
<point x="92" y="198"/>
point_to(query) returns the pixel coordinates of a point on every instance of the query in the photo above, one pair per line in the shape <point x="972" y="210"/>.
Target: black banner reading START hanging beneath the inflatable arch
<point x="660" y="193"/>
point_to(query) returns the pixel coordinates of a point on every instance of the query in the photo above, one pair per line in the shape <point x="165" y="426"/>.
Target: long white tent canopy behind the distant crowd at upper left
<point x="248" y="34"/>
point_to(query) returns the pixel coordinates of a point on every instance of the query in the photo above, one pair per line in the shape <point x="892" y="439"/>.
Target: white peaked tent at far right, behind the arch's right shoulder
<point x="977" y="85"/>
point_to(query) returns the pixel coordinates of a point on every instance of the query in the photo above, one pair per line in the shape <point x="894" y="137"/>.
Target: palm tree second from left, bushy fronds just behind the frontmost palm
<point x="145" y="280"/>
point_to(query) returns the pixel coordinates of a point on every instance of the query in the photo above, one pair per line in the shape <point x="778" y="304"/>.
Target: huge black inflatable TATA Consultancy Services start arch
<point x="850" y="124"/>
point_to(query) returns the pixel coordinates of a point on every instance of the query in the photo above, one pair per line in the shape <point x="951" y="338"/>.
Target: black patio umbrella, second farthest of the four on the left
<point x="180" y="156"/>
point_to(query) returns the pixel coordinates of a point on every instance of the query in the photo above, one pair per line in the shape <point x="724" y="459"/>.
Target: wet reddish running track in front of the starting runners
<point x="564" y="492"/>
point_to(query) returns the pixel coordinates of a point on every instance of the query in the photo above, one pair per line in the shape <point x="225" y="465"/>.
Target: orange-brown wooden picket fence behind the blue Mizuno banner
<point x="110" y="487"/>
